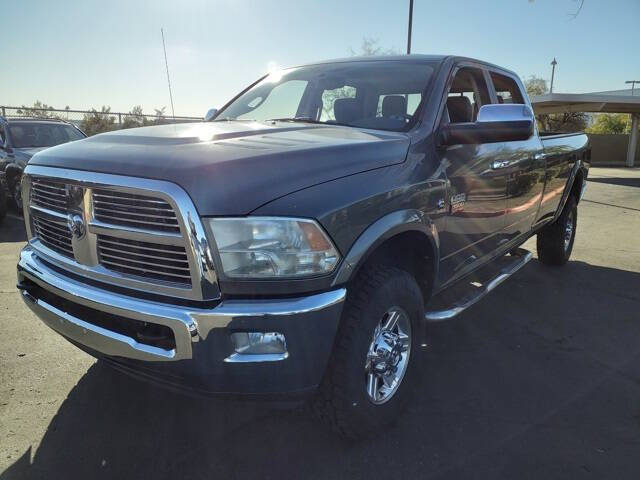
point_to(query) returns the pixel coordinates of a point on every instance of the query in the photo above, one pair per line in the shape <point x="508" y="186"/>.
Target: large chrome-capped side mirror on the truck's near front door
<point x="495" y="123"/>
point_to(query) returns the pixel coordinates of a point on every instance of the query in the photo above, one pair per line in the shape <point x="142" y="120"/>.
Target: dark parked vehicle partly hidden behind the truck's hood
<point x="21" y="138"/>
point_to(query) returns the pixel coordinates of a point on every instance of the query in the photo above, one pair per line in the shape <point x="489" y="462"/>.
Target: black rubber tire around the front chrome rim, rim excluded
<point x="342" y="400"/>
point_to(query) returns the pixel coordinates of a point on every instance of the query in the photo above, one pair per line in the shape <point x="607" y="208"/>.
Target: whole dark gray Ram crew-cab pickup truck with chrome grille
<point x="298" y="243"/>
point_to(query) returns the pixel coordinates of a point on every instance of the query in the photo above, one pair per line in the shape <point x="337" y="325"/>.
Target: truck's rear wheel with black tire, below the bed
<point x="555" y="242"/>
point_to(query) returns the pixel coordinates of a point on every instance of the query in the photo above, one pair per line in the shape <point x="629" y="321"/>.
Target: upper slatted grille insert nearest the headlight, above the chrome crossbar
<point x="137" y="211"/>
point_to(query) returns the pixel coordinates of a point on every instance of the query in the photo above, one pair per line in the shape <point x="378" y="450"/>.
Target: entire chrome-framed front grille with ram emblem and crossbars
<point x="127" y="232"/>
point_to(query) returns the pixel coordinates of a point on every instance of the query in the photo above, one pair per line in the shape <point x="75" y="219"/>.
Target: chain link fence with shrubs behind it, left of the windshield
<point x="94" y="121"/>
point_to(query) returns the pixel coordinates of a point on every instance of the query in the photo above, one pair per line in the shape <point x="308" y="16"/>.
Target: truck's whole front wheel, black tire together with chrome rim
<point x="373" y="371"/>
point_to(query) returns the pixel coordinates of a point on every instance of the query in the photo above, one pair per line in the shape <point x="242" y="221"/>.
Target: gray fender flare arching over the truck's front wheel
<point x="383" y="229"/>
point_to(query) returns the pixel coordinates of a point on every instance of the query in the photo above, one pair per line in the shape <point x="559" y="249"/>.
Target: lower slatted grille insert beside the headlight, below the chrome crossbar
<point x="145" y="259"/>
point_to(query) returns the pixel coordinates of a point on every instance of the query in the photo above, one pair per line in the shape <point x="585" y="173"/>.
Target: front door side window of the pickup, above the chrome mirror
<point x="467" y="94"/>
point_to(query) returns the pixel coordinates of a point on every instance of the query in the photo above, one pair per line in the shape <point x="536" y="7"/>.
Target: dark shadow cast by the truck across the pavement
<point x="540" y="379"/>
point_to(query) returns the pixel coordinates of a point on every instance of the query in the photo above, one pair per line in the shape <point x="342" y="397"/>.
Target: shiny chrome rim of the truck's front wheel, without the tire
<point x="388" y="355"/>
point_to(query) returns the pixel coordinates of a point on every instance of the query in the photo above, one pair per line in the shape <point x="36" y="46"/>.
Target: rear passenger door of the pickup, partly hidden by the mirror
<point x="522" y="163"/>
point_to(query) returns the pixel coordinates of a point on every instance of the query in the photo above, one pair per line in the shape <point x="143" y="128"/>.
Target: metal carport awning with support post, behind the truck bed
<point x="601" y="102"/>
